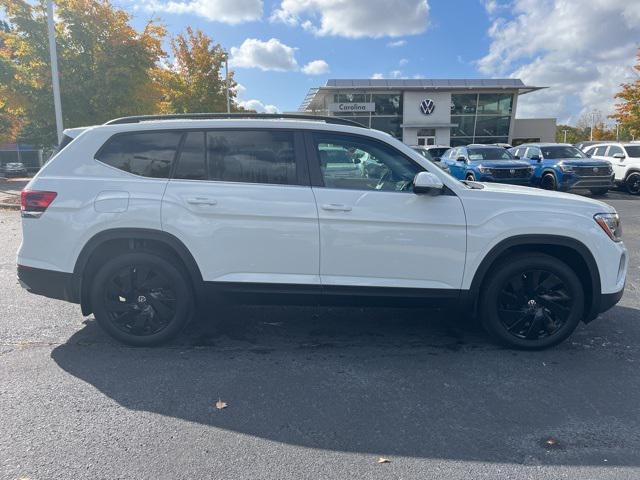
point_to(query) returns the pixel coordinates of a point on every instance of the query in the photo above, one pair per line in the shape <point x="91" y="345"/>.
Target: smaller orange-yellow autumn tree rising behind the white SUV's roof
<point x="194" y="81"/>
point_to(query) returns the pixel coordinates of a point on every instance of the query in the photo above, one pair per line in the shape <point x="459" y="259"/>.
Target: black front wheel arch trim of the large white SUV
<point x="569" y="250"/>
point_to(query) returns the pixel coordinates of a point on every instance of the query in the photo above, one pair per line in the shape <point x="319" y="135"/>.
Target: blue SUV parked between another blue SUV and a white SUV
<point x="564" y="167"/>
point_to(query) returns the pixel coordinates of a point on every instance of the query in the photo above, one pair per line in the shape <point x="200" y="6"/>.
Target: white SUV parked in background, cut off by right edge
<point x="625" y="160"/>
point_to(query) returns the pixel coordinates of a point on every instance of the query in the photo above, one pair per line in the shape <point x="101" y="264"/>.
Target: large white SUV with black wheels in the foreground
<point x="140" y="220"/>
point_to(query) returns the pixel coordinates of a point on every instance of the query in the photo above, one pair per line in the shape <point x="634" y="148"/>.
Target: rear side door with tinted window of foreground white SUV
<point x="243" y="207"/>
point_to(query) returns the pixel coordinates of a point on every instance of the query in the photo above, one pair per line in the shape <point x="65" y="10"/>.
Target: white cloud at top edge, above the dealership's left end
<point x="355" y="18"/>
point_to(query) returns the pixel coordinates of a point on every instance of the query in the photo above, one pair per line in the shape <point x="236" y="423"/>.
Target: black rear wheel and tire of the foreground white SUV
<point x="142" y="299"/>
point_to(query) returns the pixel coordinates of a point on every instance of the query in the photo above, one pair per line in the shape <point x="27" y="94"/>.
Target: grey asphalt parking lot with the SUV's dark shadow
<point x="315" y="393"/>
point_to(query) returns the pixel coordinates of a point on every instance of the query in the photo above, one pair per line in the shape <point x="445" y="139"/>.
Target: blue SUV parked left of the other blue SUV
<point x="487" y="163"/>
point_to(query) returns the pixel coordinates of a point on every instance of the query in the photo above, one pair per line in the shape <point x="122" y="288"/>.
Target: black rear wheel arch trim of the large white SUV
<point x="130" y="239"/>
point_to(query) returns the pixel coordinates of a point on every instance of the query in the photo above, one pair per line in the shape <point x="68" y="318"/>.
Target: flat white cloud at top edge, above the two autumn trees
<point x="224" y="11"/>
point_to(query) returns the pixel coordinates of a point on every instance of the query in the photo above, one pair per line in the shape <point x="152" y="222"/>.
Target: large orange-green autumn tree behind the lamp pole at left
<point x="106" y="66"/>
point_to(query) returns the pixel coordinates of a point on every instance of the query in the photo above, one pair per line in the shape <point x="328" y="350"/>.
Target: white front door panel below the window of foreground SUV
<point x="391" y="239"/>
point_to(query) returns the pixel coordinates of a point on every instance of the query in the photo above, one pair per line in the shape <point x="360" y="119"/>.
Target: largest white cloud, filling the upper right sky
<point x="582" y="54"/>
